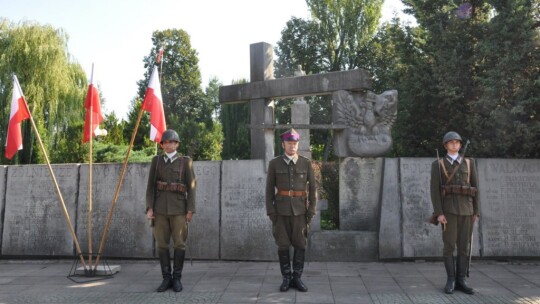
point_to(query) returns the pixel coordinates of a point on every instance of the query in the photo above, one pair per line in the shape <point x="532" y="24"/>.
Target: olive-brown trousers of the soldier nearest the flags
<point x="167" y="226"/>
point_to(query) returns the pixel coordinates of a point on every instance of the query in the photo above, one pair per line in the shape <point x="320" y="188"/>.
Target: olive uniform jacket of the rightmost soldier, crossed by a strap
<point x="458" y="204"/>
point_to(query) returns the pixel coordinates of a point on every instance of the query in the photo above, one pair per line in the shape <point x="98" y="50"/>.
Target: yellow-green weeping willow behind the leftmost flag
<point x="53" y="85"/>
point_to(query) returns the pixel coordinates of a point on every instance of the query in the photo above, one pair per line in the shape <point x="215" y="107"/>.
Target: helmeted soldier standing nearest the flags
<point x="170" y="204"/>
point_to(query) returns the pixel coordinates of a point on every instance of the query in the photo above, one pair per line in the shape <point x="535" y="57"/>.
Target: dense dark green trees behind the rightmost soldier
<point x="476" y="73"/>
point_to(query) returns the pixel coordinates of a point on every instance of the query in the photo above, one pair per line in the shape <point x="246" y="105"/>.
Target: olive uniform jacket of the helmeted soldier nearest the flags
<point x="169" y="202"/>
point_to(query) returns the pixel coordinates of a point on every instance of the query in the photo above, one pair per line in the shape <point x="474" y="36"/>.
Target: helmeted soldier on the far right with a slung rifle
<point x="456" y="204"/>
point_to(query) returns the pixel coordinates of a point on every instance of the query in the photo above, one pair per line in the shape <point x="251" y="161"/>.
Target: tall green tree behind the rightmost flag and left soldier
<point x="188" y="110"/>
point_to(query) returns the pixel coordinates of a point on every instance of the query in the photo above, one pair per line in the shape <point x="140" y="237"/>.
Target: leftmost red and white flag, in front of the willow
<point x="19" y="112"/>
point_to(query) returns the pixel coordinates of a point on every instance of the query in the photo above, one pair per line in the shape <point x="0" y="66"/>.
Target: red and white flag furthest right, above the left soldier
<point x="153" y="103"/>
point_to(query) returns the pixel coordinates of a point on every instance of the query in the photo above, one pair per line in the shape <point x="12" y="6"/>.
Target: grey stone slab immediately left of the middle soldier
<point x="246" y="231"/>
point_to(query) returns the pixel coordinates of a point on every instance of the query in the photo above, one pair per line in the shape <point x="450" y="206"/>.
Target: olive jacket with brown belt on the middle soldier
<point x="297" y="177"/>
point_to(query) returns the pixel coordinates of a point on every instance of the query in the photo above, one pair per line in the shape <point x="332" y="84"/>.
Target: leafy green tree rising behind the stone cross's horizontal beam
<point x="329" y="42"/>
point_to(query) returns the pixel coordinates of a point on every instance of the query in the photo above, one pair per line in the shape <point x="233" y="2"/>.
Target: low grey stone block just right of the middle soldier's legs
<point x="342" y="246"/>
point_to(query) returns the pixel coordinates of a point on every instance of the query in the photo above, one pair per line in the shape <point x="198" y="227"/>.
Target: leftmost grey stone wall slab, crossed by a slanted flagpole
<point x="34" y="222"/>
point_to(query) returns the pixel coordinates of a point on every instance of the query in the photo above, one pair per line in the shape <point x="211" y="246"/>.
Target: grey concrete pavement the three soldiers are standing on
<point x="45" y="281"/>
